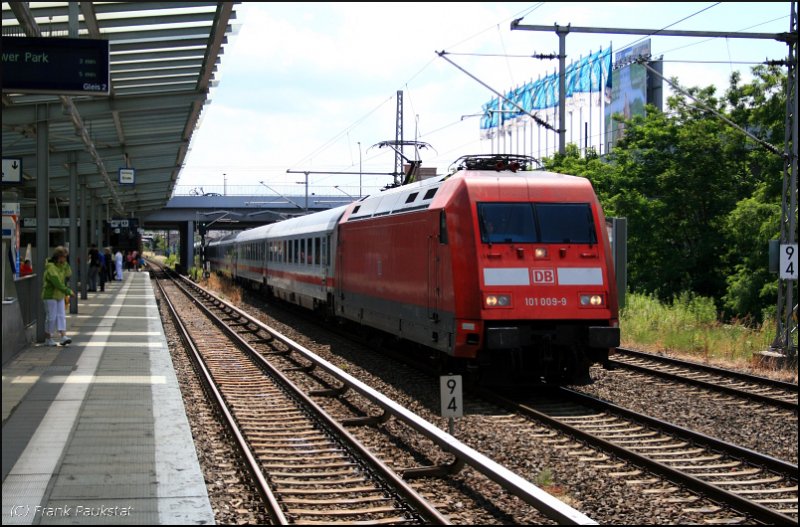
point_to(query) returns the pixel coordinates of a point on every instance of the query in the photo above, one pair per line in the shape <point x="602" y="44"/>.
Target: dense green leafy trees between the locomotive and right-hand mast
<point x="701" y="198"/>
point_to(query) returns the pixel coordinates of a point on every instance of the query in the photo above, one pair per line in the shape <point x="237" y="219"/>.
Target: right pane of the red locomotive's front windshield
<point x="566" y="223"/>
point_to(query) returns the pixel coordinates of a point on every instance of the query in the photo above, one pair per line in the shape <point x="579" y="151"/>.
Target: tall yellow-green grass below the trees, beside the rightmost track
<point x="688" y="327"/>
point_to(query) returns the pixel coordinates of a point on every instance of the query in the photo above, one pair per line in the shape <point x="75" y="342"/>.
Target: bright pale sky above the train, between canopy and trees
<point x="313" y="86"/>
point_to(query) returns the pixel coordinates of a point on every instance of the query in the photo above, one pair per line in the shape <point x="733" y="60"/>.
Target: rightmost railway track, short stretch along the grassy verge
<point x="768" y="392"/>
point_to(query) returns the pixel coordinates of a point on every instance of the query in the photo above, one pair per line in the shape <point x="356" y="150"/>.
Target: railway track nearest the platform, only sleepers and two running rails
<point x="310" y="470"/>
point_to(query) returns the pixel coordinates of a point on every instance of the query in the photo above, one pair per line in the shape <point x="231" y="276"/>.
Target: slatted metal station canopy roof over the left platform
<point x="163" y="57"/>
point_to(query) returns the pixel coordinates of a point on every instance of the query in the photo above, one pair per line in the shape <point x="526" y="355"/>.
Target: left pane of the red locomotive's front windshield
<point x="507" y="223"/>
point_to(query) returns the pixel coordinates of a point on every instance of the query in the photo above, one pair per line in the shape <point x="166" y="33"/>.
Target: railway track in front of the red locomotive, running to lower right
<point x="761" y="487"/>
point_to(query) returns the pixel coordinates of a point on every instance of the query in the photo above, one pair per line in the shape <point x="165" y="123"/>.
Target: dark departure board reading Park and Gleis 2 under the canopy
<point x="60" y="66"/>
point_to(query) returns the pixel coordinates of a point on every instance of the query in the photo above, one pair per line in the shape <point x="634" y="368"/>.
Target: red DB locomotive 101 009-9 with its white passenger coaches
<point x="503" y="271"/>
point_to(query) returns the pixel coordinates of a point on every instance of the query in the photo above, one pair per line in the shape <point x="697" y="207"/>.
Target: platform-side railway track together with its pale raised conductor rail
<point x="299" y="460"/>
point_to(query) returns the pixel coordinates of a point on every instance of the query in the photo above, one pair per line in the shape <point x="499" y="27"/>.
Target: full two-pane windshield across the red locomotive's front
<point x="536" y="223"/>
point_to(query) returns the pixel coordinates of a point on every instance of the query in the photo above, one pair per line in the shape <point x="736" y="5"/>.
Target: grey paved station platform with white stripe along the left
<point x="96" y="432"/>
